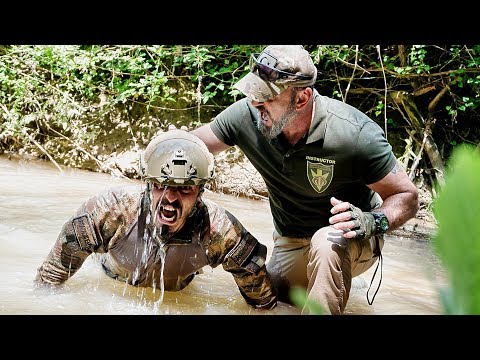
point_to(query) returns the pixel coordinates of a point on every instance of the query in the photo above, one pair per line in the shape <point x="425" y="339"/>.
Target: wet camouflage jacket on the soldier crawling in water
<point x="107" y="224"/>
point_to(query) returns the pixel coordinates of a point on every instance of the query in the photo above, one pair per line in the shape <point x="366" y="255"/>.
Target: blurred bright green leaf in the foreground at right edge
<point x="456" y="242"/>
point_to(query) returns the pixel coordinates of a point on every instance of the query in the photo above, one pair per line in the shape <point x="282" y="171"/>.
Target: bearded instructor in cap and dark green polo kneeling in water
<point x="334" y="184"/>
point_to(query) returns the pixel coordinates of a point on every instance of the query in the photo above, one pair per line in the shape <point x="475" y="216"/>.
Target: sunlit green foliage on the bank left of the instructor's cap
<point x="53" y="92"/>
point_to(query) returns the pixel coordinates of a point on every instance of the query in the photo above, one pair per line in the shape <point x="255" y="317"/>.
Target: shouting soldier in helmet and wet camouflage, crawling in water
<point x="161" y="235"/>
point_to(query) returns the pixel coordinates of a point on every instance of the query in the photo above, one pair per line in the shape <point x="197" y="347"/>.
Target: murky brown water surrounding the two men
<point x="36" y="198"/>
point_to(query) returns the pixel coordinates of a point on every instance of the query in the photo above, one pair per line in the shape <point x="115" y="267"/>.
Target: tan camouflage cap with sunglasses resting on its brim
<point x="293" y="59"/>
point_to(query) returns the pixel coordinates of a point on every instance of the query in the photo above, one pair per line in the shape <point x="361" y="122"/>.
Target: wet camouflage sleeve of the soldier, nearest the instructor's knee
<point x="241" y="254"/>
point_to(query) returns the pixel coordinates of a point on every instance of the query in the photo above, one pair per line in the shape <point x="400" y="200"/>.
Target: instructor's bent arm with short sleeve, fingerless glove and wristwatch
<point x="376" y="166"/>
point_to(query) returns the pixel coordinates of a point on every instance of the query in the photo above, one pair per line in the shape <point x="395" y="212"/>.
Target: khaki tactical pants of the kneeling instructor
<point x="324" y="265"/>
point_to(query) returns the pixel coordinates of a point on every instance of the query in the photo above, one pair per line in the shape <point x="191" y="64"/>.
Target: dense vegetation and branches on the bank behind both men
<point x="78" y="105"/>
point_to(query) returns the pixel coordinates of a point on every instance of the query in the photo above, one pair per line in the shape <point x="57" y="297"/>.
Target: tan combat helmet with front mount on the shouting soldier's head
<point x="177" y="158"/>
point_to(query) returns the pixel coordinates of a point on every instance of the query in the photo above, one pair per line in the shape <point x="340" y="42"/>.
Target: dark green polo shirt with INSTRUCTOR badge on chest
<point x="343" y="151"/>
